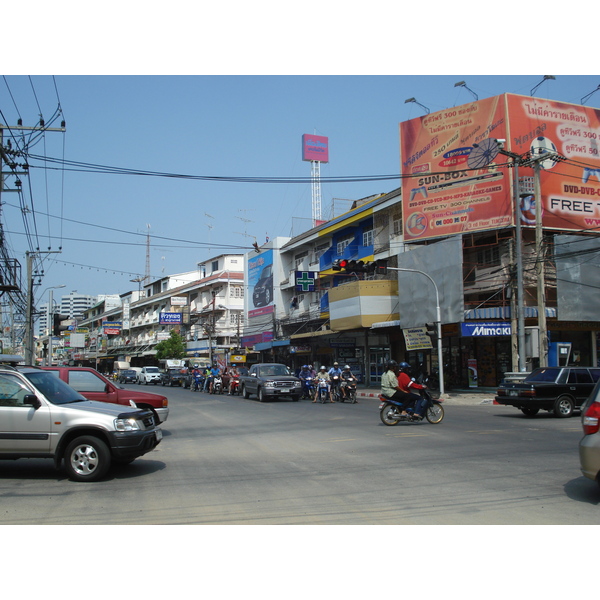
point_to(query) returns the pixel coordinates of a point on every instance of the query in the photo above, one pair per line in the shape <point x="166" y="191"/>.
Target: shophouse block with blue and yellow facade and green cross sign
<point x="316" y="315"/>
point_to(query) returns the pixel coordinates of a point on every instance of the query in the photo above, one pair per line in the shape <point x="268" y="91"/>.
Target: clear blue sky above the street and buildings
<point x="232" y="126"/>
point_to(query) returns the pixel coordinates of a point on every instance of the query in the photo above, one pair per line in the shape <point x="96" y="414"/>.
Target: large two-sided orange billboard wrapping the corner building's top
<point x="454" y="180"/>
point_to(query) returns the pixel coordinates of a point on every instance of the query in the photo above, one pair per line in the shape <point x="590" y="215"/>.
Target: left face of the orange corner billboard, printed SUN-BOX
<point x="449" y="180"/>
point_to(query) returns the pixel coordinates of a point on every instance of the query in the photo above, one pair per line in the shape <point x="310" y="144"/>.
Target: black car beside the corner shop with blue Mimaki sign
<point x="557" y="389"/>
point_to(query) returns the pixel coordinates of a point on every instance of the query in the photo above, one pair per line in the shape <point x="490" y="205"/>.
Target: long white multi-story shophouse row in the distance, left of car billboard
<point x="205" y="306"/>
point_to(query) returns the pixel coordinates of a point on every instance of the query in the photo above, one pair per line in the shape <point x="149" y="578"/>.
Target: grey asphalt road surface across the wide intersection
<point x="227" y="460"/>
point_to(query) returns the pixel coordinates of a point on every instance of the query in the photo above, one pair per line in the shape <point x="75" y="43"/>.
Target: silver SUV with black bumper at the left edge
<point x="43" y="417"/>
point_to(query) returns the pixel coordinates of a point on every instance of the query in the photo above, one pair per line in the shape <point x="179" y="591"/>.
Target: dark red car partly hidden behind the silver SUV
<point x="94" y="386"/>
